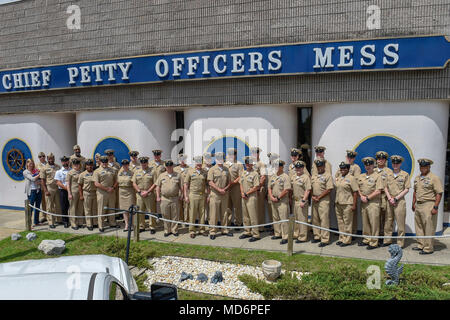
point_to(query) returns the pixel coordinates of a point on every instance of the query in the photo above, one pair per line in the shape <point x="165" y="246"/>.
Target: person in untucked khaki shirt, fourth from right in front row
<point x="345" y="204"/>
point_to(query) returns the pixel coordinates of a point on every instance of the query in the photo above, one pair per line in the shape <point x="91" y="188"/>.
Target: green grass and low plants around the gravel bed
<point x="330" y="278"/>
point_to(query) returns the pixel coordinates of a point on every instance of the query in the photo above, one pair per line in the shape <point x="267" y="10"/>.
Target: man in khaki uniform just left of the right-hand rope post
<point x="279" y="186"/>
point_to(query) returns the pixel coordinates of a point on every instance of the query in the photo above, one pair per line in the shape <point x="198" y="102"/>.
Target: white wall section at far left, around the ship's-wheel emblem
<point x="51" y="132"/>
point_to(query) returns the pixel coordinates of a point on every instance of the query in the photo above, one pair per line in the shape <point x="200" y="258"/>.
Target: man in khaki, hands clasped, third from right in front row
<point x="370" y="185"/>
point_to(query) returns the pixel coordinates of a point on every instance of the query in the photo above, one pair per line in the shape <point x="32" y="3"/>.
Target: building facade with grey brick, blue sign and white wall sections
<point x="250" y="96"/>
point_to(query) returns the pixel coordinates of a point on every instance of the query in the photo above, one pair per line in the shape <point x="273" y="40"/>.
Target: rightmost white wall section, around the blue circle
<point x="422" y="125"/>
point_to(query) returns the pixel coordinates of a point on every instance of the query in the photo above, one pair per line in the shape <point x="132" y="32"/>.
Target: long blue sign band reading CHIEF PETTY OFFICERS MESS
<point x="423" y="52"/>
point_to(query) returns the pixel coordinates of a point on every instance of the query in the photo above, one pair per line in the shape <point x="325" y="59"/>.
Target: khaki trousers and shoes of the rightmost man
<point x="425" y="223"/>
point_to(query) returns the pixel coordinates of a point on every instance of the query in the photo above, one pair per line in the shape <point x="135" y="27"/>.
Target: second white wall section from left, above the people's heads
<point x="141" y="130"/>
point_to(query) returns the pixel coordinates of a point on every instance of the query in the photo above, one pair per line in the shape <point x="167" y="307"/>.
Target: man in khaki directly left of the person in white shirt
<point x="50" y="189"/>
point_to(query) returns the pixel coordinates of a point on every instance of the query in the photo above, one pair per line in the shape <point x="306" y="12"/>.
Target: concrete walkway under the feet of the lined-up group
<point x="13" y="221"/>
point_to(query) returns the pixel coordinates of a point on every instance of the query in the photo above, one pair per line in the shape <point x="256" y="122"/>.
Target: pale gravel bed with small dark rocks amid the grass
<point x="169" y="268"/>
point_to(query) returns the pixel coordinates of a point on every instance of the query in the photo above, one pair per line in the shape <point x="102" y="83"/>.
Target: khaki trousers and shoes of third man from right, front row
<point x="371" y="221"/>
